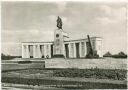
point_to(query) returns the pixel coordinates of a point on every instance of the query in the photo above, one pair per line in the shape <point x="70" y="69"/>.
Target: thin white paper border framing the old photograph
<point x="91" y="1"/>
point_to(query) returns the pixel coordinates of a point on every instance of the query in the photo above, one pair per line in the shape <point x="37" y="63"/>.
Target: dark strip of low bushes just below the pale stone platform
<point x="92" y="73"/>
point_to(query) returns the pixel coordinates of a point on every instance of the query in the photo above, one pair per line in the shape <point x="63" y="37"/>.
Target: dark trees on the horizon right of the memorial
<point x="119" y="55"/>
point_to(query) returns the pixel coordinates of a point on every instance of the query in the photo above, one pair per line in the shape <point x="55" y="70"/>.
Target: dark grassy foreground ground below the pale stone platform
<point x="68" y="78"/>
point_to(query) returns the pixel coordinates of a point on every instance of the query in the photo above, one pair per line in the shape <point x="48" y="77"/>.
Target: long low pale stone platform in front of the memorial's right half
<point x="106" y="63"/>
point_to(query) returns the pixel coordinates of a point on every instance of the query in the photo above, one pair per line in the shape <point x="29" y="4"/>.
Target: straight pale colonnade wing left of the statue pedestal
<point x="38" y="51"/>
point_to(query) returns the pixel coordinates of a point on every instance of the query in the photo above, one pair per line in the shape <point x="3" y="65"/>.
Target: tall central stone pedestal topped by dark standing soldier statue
<point x="58" y="45"/>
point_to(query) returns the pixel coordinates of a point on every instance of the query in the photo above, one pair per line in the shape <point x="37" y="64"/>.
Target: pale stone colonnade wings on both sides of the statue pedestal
<point x="72" y="49"/>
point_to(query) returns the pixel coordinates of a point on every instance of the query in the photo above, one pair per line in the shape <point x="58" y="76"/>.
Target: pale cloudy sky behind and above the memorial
<point x="36" y="21"/>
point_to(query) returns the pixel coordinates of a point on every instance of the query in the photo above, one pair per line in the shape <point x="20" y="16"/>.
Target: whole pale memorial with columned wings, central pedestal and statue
<point x="60" y="47"/>
